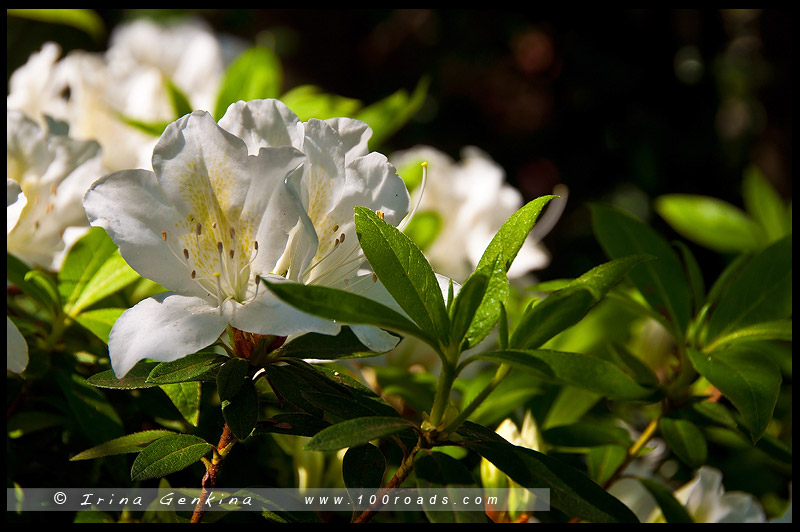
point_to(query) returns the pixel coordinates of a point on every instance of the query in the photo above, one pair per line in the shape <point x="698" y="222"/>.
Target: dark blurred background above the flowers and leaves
<point x="619" y="105"/>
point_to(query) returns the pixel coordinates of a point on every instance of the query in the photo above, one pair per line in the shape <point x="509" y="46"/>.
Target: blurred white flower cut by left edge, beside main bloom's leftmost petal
<point x="47" y="177"/>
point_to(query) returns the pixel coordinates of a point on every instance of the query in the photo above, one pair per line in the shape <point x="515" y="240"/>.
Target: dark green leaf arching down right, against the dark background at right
<point x="661" y="282"/>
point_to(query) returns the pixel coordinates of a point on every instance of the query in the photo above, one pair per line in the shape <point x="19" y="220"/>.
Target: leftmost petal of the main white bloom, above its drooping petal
<point x="131" y="206"/>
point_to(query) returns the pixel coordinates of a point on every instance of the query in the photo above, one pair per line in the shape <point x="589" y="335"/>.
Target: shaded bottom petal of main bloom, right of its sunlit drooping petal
<point x="266" y="314"/>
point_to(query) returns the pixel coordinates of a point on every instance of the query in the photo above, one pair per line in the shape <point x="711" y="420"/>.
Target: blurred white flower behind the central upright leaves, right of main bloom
<point x="472" y="201"/>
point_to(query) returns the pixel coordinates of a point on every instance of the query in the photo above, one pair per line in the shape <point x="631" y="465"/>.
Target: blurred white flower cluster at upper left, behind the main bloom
<point x="93" y="93"/>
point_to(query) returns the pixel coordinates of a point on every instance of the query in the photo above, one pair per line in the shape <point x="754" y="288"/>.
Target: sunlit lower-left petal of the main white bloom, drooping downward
<point x="165" y="327"/>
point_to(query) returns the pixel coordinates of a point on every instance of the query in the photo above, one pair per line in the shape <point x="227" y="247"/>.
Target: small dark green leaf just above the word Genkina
<point x="168" y="455"/>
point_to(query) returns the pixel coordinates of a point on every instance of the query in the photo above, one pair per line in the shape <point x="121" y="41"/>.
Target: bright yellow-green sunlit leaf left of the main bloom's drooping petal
<point x="93" y="269"/>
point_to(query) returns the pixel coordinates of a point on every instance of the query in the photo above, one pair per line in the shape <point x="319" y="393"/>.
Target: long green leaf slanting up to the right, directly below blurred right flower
<point x="566" y="307"/>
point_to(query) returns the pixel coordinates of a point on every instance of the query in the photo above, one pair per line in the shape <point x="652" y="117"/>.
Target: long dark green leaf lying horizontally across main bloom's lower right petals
<point x="345" y="307"/>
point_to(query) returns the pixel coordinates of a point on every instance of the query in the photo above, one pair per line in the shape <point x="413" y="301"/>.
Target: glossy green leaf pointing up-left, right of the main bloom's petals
<point x="404" y="271"/>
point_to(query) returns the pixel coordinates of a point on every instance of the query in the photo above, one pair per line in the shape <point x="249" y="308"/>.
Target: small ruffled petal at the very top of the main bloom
<point x="263" y="123"/>
